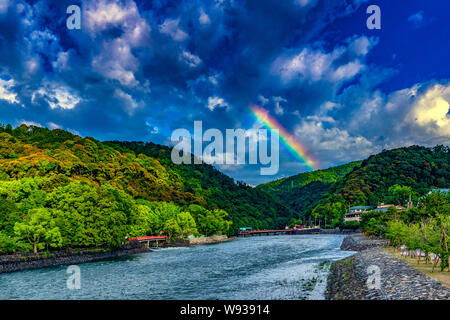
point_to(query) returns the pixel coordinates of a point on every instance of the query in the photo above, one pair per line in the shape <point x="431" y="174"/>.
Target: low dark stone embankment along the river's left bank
<point x="20" y="262"/>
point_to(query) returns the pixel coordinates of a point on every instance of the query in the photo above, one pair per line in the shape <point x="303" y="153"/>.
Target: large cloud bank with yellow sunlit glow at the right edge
<point x="416" y="115"/>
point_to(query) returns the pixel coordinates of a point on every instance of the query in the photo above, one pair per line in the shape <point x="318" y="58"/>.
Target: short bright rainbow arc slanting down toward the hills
<point x="288" y="139"/>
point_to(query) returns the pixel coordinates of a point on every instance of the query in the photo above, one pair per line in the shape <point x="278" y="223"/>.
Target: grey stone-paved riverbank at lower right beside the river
<point x="398" y="280"/>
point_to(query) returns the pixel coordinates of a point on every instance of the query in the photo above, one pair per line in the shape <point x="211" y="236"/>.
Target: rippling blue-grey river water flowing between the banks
<point x="267" y="267"/>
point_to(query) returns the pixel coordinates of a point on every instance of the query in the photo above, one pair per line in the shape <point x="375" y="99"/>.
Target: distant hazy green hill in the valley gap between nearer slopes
<point x="303" y="191"/>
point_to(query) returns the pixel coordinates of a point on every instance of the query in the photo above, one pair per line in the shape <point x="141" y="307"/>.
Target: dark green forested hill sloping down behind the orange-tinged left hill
<point x="212" y="189"/>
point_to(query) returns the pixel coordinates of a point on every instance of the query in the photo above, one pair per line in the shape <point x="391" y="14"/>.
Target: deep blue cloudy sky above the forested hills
<point x="137" y="70"/>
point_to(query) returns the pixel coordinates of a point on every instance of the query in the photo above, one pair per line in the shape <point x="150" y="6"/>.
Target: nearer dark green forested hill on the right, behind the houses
<point x="417" y="167"/>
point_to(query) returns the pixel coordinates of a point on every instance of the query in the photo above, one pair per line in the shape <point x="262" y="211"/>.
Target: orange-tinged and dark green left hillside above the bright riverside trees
<point x="52" y="159"/>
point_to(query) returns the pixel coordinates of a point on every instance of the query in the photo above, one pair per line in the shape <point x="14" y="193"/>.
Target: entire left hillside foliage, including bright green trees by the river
<point x="58" y="190"/>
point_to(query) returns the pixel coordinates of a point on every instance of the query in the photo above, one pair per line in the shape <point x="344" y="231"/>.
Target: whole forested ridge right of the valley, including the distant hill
<point x="370" y="182"/>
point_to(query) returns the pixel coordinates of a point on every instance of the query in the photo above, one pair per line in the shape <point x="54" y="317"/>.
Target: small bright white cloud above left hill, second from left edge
<point x="57" y="97"/>
